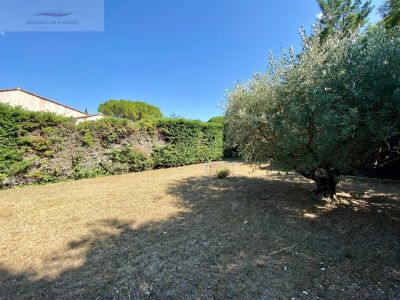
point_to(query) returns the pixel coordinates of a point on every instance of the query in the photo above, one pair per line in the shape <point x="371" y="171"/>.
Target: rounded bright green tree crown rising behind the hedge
<point x="132" y="110"/>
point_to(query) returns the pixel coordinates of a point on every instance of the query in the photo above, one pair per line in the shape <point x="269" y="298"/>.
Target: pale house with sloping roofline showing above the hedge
<point x="29" y="101"/>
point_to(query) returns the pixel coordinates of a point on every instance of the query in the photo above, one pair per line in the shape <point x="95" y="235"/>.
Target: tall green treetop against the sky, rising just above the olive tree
<point x="342" y="16"/>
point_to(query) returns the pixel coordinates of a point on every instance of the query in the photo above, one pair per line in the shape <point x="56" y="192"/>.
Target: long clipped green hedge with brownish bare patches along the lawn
<point x="42" y="147"/>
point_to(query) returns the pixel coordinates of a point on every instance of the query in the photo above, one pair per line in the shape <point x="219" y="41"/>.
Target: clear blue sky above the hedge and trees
<point x="180" y="55"/>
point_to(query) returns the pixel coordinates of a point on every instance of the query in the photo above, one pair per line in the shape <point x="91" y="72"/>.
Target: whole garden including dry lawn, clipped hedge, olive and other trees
<point x="267" y="201"/>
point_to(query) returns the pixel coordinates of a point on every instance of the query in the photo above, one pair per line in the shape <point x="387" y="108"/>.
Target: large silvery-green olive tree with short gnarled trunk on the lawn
<point x="321" y="113"/>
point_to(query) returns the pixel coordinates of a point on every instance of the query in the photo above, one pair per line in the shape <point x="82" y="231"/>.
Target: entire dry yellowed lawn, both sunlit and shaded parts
<point x="181" y="234"/>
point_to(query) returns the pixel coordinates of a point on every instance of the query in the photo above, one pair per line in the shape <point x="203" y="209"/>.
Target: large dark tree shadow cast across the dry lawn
<point x="242" y="237"/>
